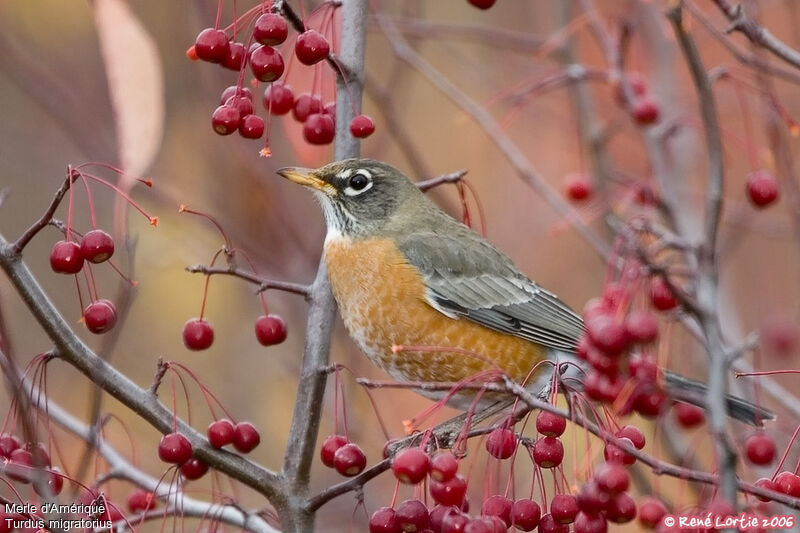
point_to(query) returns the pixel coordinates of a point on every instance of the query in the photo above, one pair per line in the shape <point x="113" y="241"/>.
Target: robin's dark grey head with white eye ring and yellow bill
<point x="358" y="196"/>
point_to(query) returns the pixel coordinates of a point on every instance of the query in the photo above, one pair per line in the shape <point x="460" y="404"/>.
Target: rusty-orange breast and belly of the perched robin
<point x="382" y="301"/>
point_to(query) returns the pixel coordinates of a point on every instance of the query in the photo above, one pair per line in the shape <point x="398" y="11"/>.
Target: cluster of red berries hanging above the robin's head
<point x="260" y="52"/>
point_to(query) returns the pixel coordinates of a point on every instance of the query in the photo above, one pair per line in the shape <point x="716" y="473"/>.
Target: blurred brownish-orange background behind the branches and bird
<point x="57" y="110"/>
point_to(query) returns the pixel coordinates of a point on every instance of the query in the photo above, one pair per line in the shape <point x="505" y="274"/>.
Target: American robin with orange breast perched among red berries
<point x="428" y="299"/>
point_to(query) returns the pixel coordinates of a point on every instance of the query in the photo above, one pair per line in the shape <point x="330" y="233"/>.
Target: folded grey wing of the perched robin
<point x="467" y="277"/>
